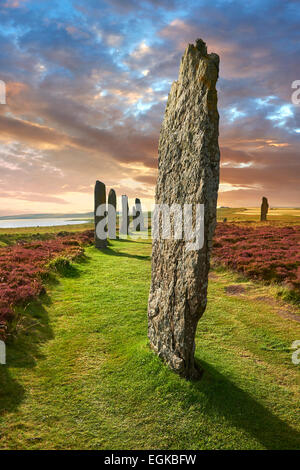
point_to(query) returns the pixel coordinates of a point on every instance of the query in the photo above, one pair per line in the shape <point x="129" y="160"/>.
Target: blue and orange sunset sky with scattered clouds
<point x="86" y="88"/>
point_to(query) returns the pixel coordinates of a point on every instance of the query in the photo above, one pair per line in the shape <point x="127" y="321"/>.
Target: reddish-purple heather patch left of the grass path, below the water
<point x="23" y="268"/>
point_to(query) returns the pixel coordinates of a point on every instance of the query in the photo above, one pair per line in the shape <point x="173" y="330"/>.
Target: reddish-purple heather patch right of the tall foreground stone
<point x="268" y="252"/>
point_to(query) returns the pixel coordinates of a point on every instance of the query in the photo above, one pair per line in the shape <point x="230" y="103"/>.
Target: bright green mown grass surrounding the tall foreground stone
<point x="80" y="375"/>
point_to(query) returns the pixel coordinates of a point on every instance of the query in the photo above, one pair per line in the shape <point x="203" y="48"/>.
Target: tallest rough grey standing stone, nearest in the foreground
<point x="188" y="172"/>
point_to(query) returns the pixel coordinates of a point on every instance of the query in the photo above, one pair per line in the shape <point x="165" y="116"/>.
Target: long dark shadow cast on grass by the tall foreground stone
<point x="228" y="401"/>
